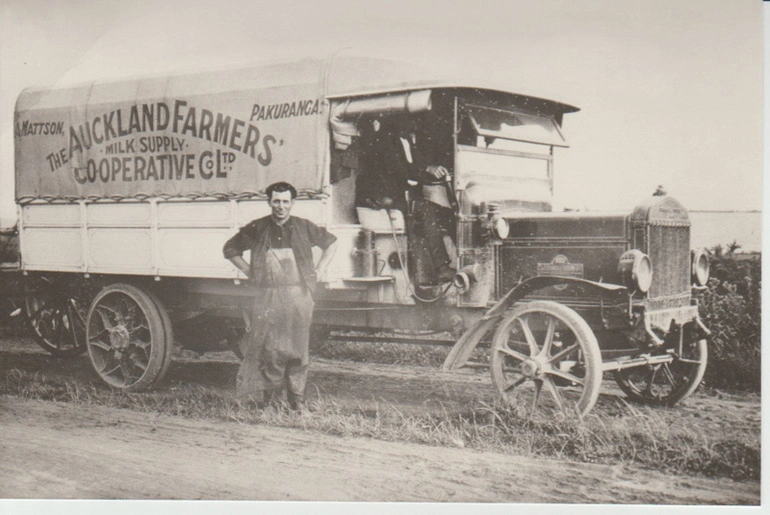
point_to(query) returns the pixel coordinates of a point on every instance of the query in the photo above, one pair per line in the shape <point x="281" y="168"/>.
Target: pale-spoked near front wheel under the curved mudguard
<point x="547" y="346"/>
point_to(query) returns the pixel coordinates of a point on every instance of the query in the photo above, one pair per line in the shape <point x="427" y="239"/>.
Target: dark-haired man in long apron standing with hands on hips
<point x="275" y="350"/>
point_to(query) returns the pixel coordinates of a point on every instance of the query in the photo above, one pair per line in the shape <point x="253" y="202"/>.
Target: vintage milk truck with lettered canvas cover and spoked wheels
<point x="127" y="190"/>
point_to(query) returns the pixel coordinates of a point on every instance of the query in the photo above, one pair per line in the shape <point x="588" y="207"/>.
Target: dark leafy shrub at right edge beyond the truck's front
<point x="731" y="309"/>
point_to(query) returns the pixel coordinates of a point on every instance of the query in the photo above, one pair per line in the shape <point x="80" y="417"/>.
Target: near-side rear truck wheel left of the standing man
<point x="129" y="337"/>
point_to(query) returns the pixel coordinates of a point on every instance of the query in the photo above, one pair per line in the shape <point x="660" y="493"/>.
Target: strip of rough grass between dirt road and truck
<point x="640" y="437"/>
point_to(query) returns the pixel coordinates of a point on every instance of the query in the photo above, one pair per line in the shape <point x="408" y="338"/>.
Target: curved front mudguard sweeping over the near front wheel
<point x="463" y="349"/>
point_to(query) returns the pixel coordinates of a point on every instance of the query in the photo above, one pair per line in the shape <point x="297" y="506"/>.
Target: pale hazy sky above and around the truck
<point x="670" y="92"/>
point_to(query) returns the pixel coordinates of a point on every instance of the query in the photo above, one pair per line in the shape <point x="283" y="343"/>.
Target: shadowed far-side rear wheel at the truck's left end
<point x="56" y="317"/>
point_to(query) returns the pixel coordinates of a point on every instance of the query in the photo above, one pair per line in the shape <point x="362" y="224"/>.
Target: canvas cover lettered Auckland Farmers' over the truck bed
<point x="208" y="134"/>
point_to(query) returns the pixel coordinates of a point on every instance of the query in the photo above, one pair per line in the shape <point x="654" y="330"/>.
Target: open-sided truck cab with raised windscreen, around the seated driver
<point x="498" y="150"/>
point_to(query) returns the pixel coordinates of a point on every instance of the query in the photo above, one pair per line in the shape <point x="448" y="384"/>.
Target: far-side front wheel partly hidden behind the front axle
<point x="668" y="383"/>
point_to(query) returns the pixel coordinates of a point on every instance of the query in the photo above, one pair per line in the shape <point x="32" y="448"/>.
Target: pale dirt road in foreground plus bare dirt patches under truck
<point x="61" y="450"/>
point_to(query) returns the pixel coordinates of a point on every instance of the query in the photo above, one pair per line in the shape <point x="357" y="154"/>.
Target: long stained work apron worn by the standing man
<point x="275" y="350"/>
